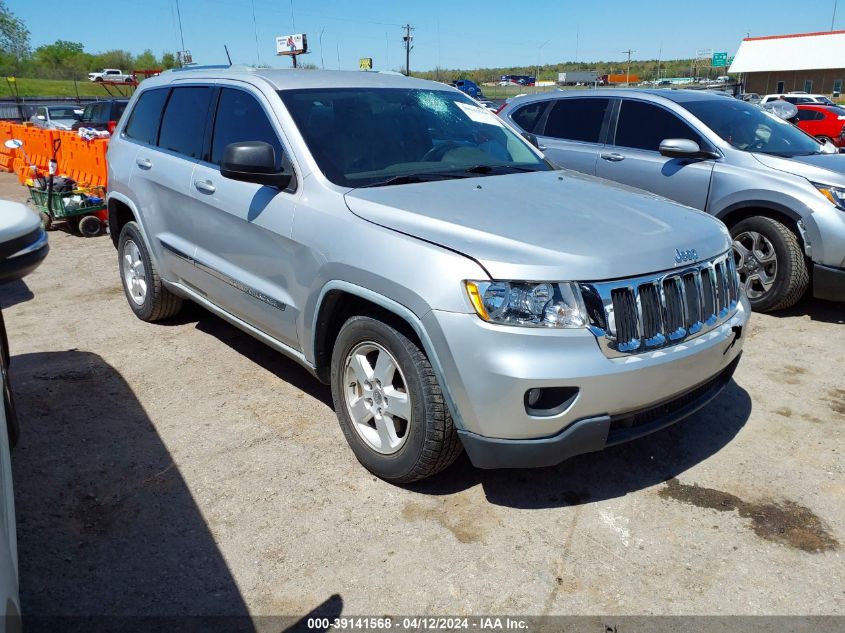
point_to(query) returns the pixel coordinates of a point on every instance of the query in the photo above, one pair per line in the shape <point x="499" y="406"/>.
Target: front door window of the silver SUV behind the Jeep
<point x="645" y="126"/>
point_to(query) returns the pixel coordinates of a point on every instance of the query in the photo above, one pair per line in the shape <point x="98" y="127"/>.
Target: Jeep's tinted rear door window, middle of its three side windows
<point x="183" y="123"/>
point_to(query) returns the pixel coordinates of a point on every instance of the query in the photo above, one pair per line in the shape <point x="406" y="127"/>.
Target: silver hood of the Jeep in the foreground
<point x="556" y="226"/>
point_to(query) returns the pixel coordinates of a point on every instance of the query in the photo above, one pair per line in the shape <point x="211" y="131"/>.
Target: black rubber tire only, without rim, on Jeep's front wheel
<point x="431" y="443"/>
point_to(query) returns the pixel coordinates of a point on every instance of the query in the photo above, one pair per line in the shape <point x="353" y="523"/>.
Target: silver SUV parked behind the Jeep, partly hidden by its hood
<point x="780" y="194"/>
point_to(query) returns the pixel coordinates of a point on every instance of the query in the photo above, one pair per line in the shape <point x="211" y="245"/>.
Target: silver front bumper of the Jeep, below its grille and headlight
<point x="488" y="369"/>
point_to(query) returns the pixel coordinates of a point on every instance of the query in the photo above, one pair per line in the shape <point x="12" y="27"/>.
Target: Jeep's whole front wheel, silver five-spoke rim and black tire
<point x="389" y="403"/>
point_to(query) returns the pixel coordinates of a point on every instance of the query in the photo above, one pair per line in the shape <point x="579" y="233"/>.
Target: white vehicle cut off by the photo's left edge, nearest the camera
<point x="23" y="245"/>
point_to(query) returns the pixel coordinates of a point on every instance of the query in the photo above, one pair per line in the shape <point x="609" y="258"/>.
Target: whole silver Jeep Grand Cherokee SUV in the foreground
<point x="410" y="249"/>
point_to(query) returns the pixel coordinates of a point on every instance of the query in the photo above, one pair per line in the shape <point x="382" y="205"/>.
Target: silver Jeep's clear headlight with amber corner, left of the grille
<point x="528" y="304"/>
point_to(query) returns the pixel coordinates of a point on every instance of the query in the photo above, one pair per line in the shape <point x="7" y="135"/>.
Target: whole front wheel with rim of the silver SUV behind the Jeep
<point x="770" y="263"/>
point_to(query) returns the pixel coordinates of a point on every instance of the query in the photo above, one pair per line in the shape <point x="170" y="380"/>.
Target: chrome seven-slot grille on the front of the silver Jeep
<point x="632" y="316"/>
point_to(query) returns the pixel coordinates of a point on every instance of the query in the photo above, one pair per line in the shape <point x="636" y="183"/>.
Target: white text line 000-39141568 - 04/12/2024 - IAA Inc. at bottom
<point x="422" y="623"/>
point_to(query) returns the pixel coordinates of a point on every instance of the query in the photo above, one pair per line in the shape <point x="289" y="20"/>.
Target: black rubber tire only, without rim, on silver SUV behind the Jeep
<point x="792" y="277"/>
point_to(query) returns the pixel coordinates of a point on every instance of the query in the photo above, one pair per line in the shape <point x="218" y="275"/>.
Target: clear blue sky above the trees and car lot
<point x="449" y="33"/>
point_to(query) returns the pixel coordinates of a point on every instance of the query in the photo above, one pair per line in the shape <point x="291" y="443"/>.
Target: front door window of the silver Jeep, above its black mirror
<point x="241" y="118"/>
